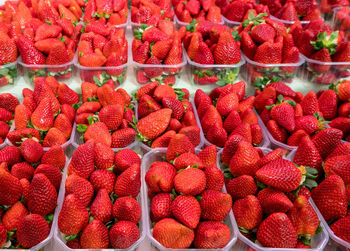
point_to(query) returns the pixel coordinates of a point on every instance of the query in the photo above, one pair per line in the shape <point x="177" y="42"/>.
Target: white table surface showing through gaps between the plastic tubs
<point x="130" y="85"/>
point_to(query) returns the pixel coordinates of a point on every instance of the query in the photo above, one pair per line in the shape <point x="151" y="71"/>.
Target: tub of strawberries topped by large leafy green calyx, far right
<point x="318" y="42"/>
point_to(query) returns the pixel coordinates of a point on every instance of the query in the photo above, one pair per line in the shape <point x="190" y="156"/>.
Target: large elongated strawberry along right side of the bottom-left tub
<point x="42" y="195"/>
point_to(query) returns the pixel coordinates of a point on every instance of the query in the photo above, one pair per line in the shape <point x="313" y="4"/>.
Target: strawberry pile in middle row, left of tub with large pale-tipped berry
<point x="105" y="115"/>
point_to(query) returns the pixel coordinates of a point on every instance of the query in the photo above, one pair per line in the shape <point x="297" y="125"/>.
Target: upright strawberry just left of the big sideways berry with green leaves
<point x="245" y="160"/>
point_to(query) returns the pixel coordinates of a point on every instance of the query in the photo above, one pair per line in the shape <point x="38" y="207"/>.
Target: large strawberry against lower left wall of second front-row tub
<point x="73" y="216"/>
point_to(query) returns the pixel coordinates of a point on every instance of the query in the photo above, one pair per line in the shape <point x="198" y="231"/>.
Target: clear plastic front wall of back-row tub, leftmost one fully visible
<point x="62" y="73"/>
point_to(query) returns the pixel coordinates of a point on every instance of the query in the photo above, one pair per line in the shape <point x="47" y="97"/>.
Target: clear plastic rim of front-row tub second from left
<point x="59" y="238"/>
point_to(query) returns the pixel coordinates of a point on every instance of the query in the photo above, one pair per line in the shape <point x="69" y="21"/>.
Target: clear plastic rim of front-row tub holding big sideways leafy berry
<point x="318" y="242"/>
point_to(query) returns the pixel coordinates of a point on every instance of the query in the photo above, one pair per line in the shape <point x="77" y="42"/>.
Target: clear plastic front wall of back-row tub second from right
<point x="286" y="72"/>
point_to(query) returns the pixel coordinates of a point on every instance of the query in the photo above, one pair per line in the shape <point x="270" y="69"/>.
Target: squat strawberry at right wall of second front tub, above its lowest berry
<point x="126" y="208"/>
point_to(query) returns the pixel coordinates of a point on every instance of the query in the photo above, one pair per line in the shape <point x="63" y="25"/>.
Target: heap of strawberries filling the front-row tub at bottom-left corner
<point x="29" y="183"/>
